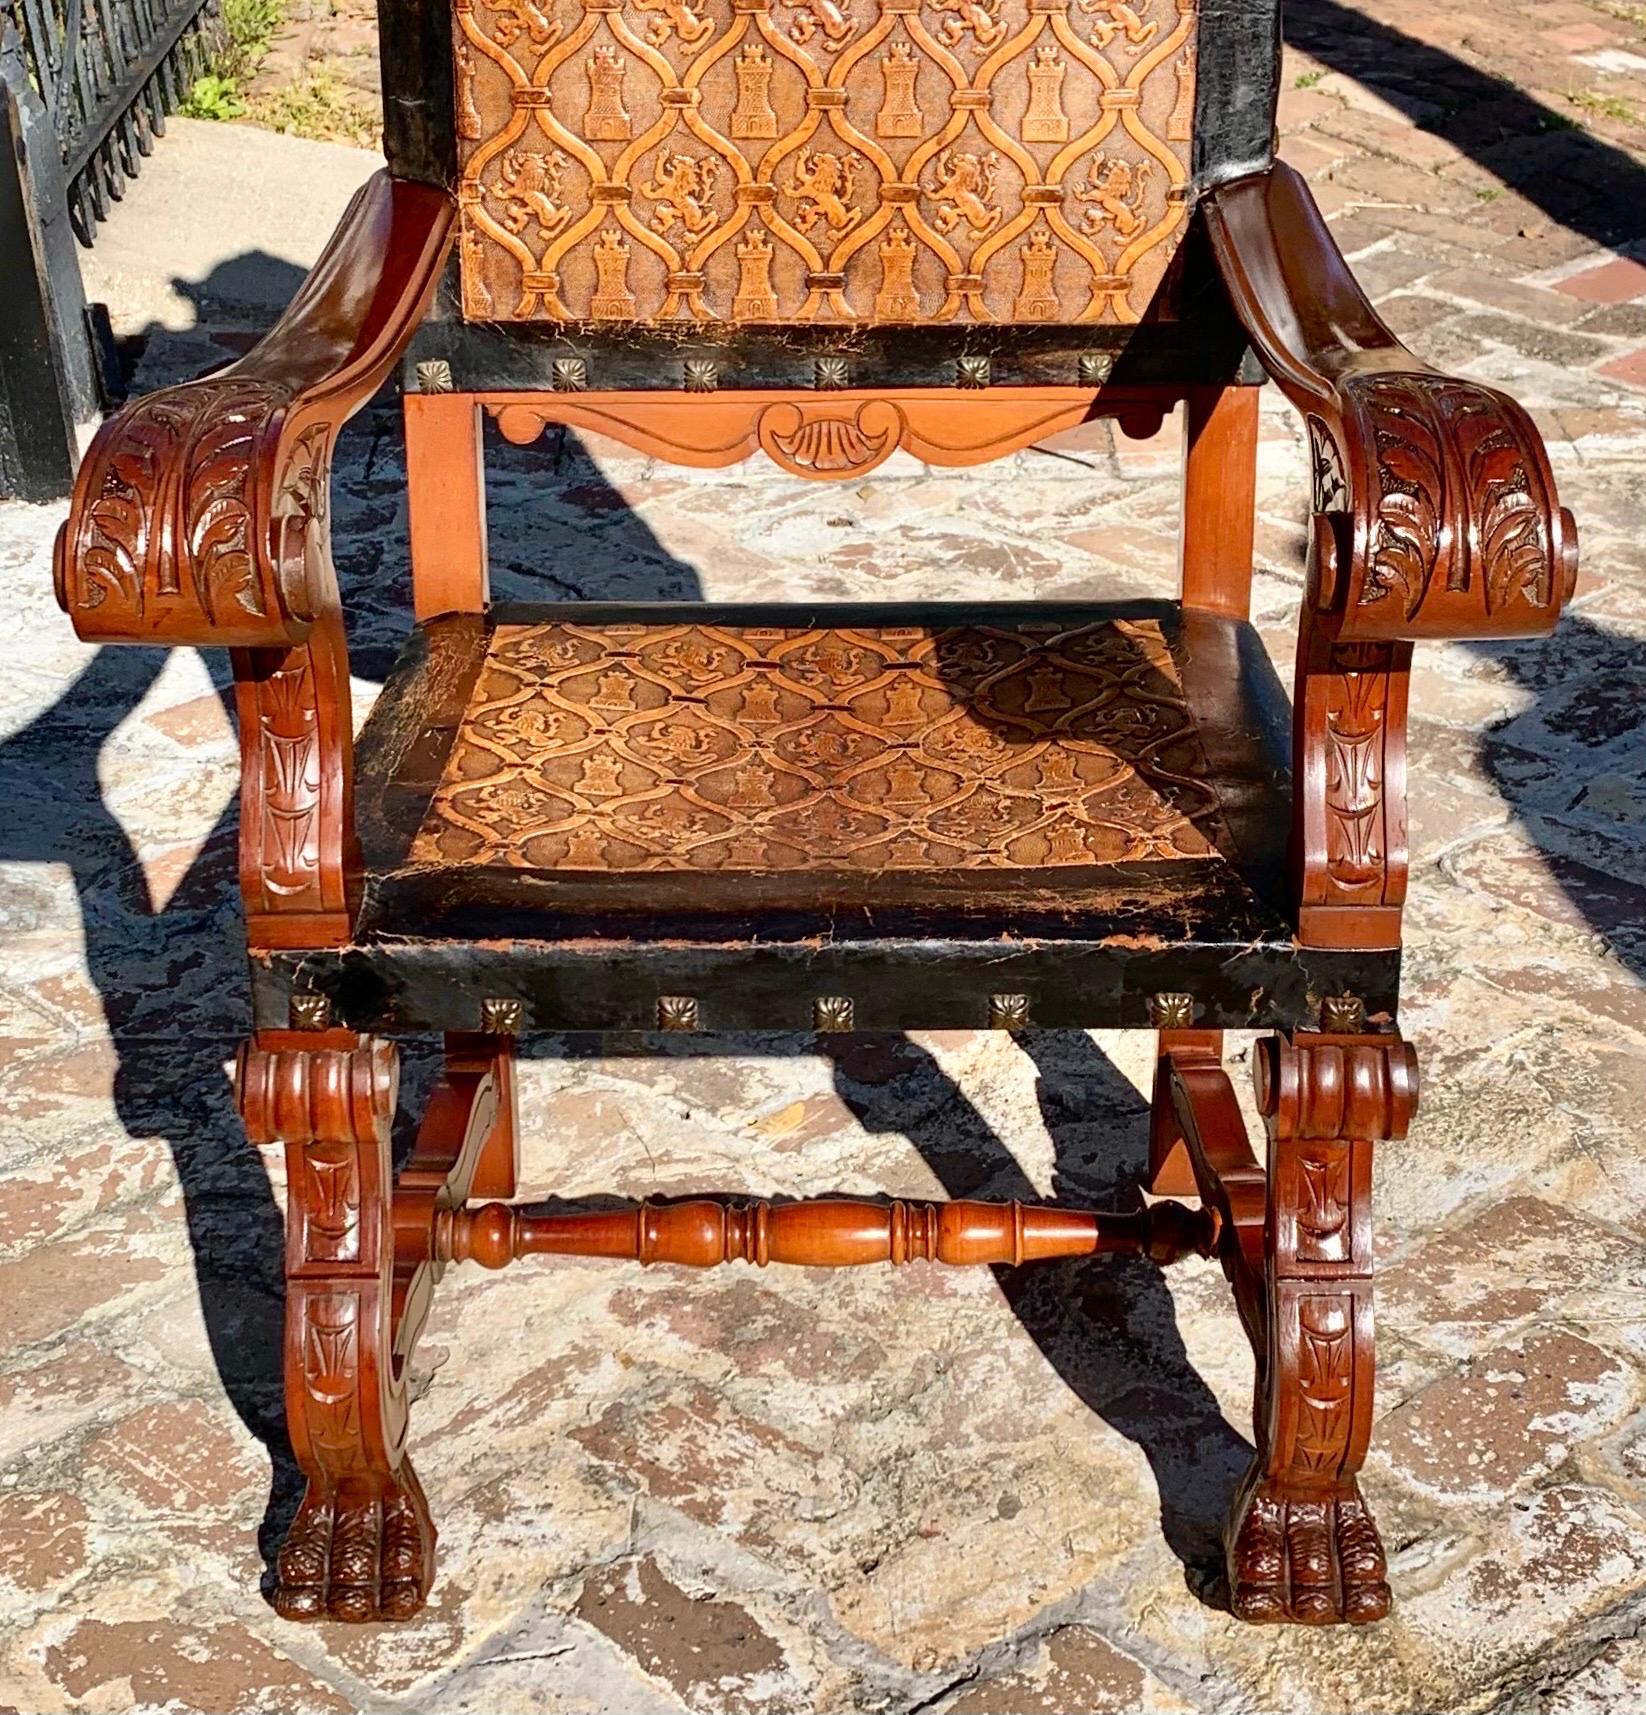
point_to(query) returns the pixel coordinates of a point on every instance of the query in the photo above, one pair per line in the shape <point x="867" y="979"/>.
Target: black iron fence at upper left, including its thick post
<point x="85" y="92"/>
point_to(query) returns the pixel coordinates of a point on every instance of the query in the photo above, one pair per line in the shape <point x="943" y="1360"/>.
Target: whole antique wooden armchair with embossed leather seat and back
<point x="826" y="231"/>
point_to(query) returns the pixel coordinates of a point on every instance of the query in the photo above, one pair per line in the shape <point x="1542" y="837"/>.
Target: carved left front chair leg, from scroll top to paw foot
<point x="361" y="1546"/>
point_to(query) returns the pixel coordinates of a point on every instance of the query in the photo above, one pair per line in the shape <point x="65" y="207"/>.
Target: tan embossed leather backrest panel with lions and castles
<point x="862" y="162"/>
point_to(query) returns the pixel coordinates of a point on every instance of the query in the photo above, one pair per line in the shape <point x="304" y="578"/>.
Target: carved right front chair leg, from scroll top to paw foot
<point x="1302" y="1544"/>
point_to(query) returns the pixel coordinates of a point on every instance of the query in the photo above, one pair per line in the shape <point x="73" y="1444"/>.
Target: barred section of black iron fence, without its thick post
<point x="109" y="73"/>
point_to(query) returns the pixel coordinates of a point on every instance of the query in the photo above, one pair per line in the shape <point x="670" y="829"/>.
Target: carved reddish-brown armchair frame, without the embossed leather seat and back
<point x="201" y="521"/>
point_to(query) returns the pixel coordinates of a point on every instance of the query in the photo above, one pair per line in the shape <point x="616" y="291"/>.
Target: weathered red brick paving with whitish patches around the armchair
<point x="923" y="1491"/>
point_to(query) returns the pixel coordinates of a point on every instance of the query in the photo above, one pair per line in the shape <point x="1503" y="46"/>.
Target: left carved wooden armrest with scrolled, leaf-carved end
<point x="201" y="512"/>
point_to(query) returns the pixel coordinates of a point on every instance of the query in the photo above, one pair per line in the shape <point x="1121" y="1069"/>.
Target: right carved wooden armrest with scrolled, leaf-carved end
<point x="1436" y="510"/>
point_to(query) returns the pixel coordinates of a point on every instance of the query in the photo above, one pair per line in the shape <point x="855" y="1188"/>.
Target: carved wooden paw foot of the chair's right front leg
<point x="1306" y="1560"/>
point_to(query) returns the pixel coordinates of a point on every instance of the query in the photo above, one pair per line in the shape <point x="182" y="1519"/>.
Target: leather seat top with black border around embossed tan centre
<point x="994" y="776"/>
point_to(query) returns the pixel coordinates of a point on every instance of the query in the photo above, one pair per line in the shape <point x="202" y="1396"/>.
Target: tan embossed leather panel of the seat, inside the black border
<point x="726" y="749"/>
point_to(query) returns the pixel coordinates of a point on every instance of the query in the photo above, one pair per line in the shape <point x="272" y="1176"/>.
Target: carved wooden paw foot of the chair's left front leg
<point x="357" y="1558"/>
